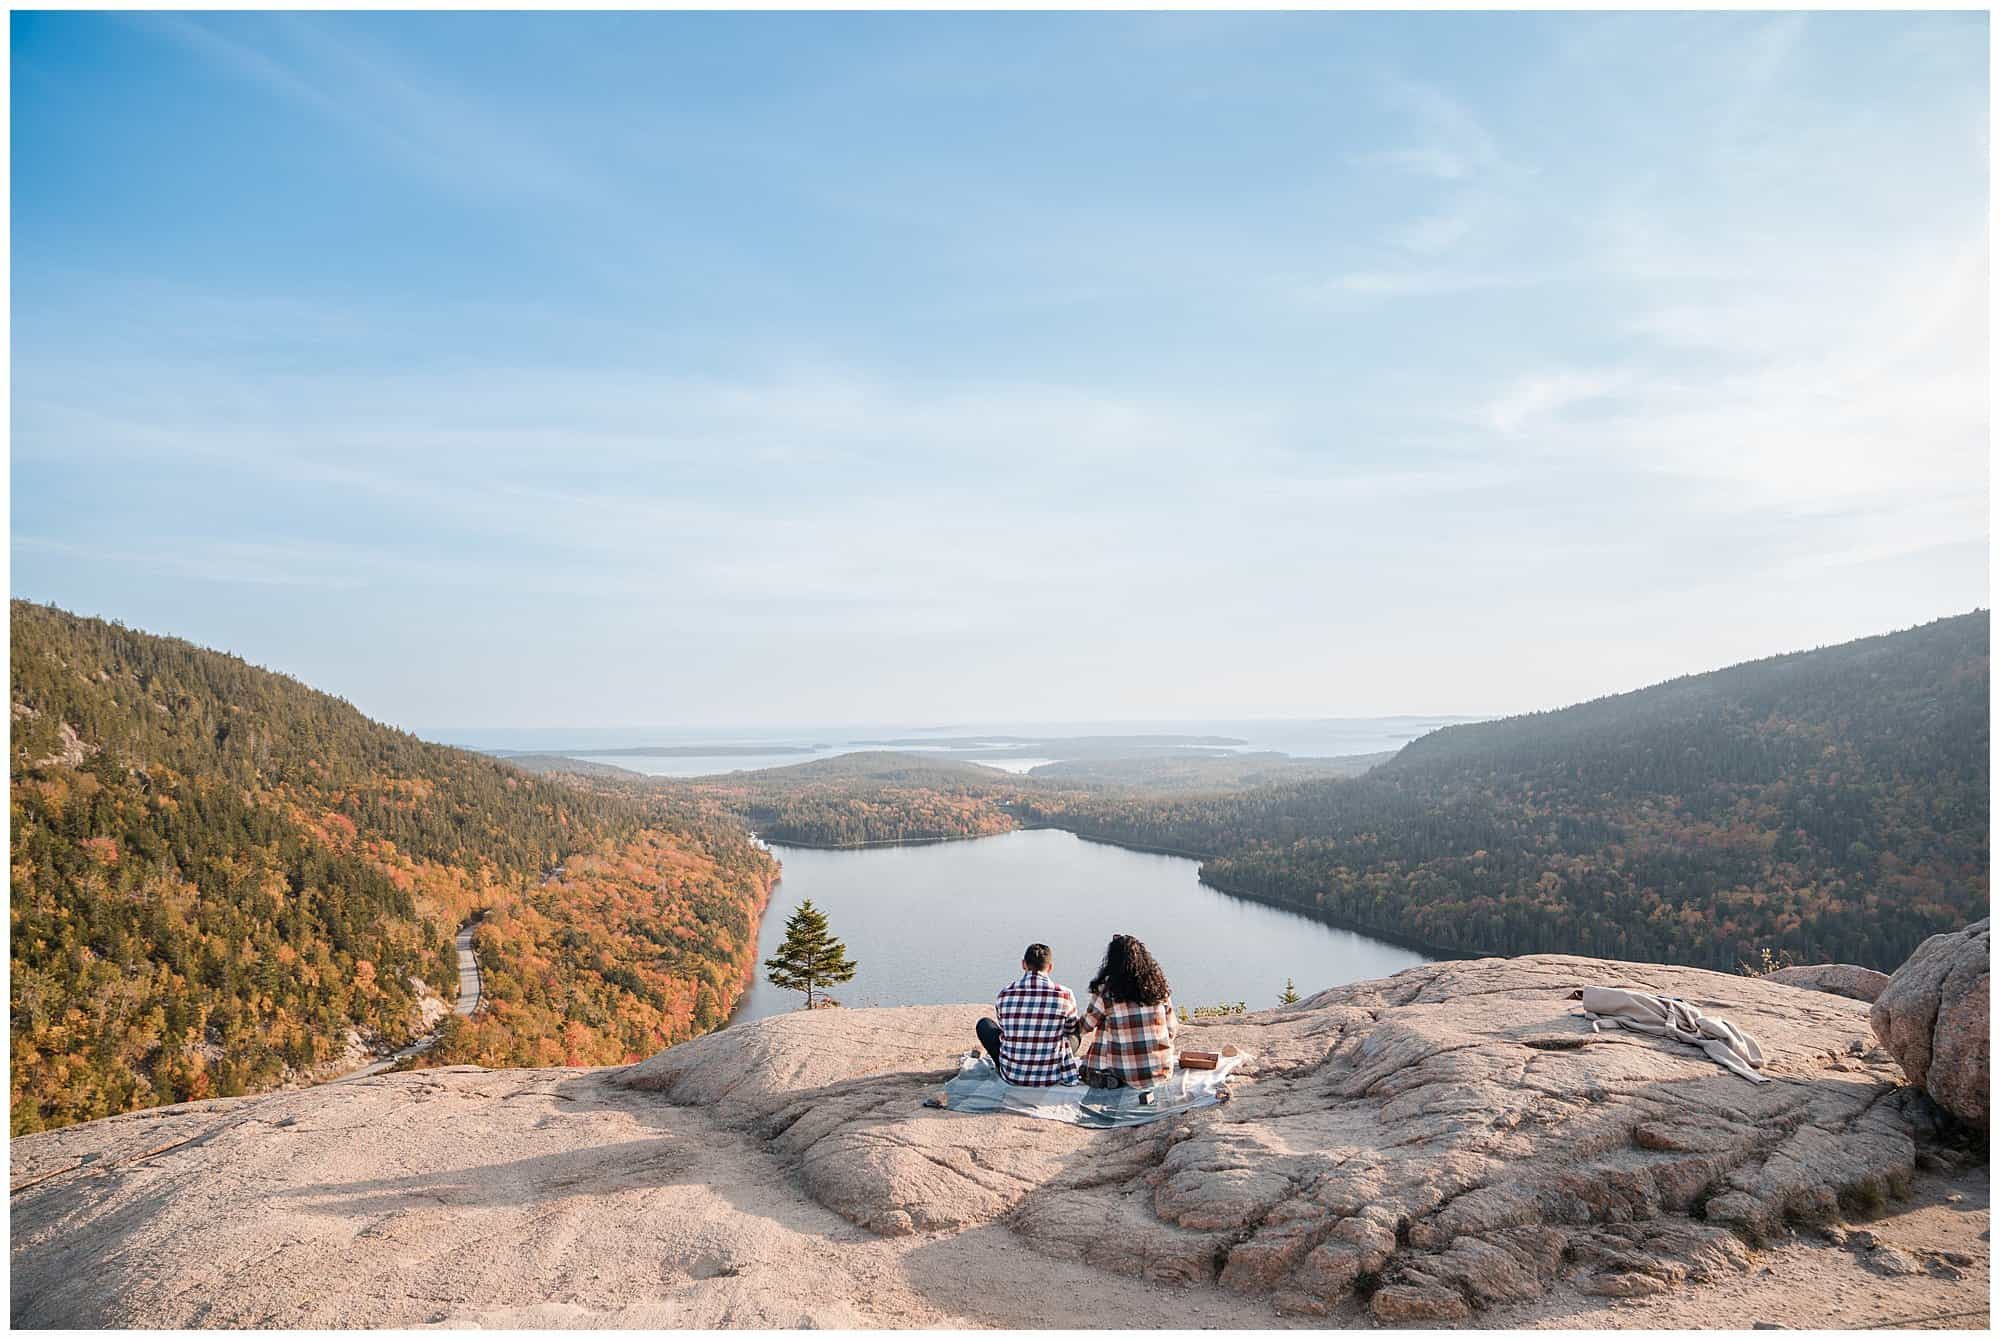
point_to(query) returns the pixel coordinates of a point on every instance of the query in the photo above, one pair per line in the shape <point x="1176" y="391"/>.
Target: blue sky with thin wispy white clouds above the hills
<point x="681" y="369"/>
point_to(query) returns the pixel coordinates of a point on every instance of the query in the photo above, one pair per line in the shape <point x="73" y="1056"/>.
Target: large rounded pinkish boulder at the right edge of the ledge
<point x="1933" y="1017"/>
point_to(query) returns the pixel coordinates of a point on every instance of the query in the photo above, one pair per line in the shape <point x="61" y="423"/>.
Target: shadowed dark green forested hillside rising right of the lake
<point x="1831" y="805"/>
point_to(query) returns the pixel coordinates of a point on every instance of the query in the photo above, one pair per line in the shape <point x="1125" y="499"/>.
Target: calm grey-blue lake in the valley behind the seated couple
<point x="947" y="923"/>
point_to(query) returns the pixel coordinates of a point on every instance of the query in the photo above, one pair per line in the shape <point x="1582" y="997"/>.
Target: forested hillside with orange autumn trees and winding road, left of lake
<point x="219" y="875"/>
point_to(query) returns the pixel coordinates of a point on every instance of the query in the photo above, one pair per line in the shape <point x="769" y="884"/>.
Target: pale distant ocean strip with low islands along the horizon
<point x="1329" y="737"/>
